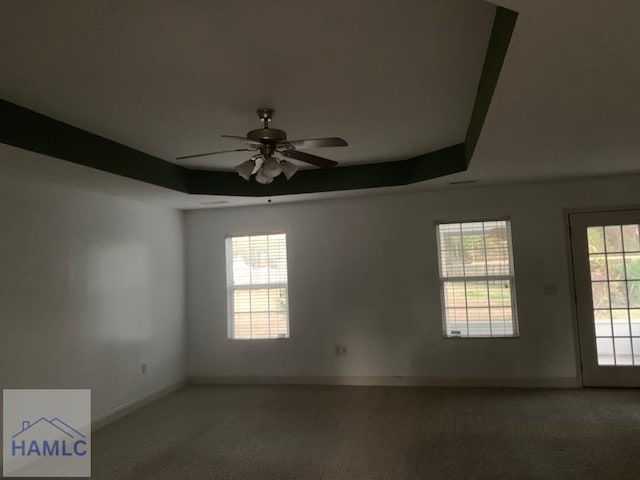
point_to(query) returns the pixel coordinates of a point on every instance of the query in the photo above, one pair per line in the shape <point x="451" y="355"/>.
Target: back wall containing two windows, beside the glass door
<point x="363" y="272"/>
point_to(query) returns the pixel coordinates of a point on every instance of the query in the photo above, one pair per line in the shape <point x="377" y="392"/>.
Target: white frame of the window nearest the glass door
<point x="478" y="278"/>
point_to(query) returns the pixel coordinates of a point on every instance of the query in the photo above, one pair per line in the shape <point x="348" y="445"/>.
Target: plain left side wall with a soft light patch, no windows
<point x="91" y="287"/>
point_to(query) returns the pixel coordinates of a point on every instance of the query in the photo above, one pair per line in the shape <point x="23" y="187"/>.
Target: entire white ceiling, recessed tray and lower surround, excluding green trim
<point x="394" y="78"/>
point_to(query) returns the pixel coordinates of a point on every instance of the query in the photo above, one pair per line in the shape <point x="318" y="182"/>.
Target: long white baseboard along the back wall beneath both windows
<point x="535" y="382"/>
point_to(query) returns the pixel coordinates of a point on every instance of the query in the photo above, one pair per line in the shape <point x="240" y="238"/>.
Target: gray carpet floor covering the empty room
<point x="408" y="433"/>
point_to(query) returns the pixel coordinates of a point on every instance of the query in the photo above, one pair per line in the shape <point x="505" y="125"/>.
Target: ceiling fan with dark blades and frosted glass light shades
<point x="268" y="142"/>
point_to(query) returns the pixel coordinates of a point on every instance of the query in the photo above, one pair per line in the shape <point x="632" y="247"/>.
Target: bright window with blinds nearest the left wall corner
<point x="257" y="286"/>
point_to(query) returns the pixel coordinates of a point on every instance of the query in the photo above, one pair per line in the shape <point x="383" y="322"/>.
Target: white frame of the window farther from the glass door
<point x="231" y="289"/>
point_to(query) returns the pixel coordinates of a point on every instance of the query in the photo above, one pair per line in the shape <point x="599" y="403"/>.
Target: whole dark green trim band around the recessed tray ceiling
<point x="29" y="130"/>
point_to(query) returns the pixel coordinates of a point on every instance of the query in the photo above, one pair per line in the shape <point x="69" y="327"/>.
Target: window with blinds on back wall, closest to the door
<point x="477" y="280"/>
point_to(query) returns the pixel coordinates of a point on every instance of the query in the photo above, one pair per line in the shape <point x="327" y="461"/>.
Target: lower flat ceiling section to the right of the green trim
<point x="568" y="100"/>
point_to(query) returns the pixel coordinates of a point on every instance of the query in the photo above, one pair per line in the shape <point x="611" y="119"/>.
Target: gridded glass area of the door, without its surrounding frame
<point x="614" y="260"/>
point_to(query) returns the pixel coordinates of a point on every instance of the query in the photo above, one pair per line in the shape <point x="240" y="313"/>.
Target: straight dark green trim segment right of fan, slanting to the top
<point x="503" y="25"/>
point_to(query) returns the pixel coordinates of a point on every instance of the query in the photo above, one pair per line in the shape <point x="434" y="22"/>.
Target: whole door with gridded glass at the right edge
<point x="606" y="265"/>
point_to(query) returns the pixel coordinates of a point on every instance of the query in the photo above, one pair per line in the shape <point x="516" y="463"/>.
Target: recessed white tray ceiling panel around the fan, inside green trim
<point x="395" y="79"/>
